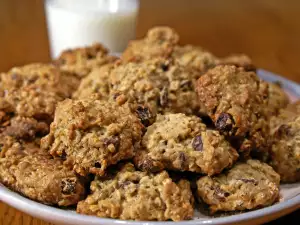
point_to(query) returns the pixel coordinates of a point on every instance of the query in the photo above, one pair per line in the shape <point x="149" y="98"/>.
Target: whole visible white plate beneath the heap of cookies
<point x="289" y="201"/>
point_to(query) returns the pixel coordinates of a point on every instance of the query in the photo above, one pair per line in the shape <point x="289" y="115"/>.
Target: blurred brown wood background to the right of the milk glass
<point x="267" y="30"/>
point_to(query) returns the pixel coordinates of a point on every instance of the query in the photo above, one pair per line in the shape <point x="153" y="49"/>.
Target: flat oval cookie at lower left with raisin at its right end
<point x="35" y="174"/>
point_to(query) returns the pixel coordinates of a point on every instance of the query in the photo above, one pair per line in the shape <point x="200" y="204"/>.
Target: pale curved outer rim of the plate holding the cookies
<point x="45" y="212"/>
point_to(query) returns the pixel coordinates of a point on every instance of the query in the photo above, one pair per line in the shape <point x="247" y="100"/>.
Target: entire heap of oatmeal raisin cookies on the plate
<point x="147" y="136"/>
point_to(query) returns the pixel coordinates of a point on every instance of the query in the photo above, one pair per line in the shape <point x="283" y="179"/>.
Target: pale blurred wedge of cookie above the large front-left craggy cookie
<point x="96" y="82"/>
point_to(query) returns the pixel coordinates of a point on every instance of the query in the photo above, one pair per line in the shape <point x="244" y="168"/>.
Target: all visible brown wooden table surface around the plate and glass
<point x="267" y="30"/>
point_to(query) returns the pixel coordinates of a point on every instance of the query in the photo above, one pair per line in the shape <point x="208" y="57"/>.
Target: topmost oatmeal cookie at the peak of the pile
<point x="159" y="42"/>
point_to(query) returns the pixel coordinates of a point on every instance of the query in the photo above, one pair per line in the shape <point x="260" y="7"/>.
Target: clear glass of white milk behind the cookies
<point x="77" y="23"/>
